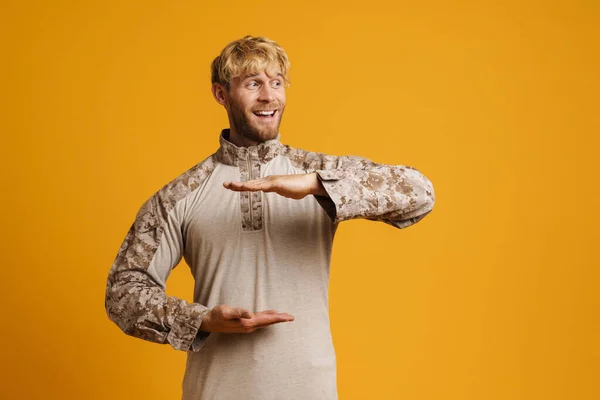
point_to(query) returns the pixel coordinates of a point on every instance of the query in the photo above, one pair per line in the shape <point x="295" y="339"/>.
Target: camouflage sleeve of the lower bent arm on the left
<point x="135" y="291"/>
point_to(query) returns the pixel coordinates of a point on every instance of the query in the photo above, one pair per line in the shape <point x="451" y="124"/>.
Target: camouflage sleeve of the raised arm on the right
<point x="398" y="195"/>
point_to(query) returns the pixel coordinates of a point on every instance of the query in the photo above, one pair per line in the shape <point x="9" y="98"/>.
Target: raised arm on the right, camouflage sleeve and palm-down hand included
<point x="349" y="187"/>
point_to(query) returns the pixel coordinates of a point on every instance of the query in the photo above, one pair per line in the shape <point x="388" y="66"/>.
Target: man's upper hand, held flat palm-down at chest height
<point x="292" y="186"/>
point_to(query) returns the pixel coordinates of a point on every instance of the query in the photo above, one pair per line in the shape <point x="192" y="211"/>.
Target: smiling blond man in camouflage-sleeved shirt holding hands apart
<point x="255" y="222"/>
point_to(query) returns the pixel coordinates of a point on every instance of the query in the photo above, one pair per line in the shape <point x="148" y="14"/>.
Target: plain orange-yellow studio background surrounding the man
<point x="493" y="296"/>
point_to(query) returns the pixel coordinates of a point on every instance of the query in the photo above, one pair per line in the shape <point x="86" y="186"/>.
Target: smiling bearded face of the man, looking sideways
<point x="255" y="104"/>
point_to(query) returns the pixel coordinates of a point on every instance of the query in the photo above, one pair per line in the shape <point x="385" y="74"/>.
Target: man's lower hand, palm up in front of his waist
<point x="223" y="318"/>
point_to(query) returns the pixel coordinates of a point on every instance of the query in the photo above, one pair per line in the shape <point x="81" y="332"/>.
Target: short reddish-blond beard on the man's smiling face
<point x="247" y="124"/>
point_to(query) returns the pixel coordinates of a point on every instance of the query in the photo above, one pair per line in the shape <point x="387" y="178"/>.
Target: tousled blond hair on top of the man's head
<point x="248" y="55"/>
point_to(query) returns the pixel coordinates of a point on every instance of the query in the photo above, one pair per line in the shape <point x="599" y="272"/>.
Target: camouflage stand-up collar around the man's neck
<point x="230" y="154"/>
